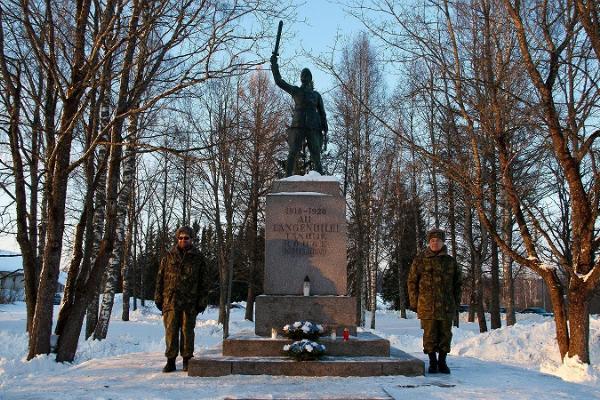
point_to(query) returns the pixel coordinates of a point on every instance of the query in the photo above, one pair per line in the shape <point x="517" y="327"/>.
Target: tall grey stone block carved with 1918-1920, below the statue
<point x="305" y="236"/>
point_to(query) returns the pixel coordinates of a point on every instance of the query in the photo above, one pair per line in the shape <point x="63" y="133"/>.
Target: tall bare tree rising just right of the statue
<point x="359" y="73"/>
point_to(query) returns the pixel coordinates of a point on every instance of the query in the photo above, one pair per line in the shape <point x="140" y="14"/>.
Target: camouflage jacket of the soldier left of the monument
<point x="181" y="283"/>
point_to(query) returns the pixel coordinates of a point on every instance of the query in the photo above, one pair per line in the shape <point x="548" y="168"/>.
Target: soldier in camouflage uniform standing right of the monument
<point x="434" y="288"/>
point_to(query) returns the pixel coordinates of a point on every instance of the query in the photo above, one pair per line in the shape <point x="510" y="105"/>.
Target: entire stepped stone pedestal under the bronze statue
<point x="305" y="233"/>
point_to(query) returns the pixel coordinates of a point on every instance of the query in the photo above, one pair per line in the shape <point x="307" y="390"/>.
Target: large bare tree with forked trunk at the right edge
<point x="575" y="155"/>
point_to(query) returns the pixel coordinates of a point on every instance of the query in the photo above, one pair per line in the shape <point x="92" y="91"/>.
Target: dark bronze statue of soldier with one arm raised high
<point x="309" y="121"/>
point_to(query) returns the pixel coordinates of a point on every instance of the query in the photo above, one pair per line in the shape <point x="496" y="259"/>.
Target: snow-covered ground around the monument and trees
<point x="518" y="362"/>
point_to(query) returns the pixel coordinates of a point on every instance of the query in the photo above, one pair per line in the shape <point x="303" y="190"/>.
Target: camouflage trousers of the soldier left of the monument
<point x="179" y="332"/>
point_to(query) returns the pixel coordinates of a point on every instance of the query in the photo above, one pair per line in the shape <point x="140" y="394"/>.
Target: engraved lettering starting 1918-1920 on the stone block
<point x="308" y="235"/>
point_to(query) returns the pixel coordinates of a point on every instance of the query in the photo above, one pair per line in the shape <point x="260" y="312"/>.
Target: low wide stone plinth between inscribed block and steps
<point x="334" y="312"/>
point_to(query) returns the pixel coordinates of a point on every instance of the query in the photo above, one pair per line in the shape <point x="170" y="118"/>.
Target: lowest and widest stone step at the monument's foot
<point x="215" y="364"/>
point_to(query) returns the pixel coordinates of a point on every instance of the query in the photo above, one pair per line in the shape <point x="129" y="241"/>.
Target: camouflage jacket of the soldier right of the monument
<point x="434" y="285"/>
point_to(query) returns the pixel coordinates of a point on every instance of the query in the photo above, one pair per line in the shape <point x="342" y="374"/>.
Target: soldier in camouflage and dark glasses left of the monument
<point x="181" y="293"/>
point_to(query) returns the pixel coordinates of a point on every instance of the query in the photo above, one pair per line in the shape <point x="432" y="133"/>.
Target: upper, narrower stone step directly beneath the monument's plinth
<point x="364" y="344"/>
